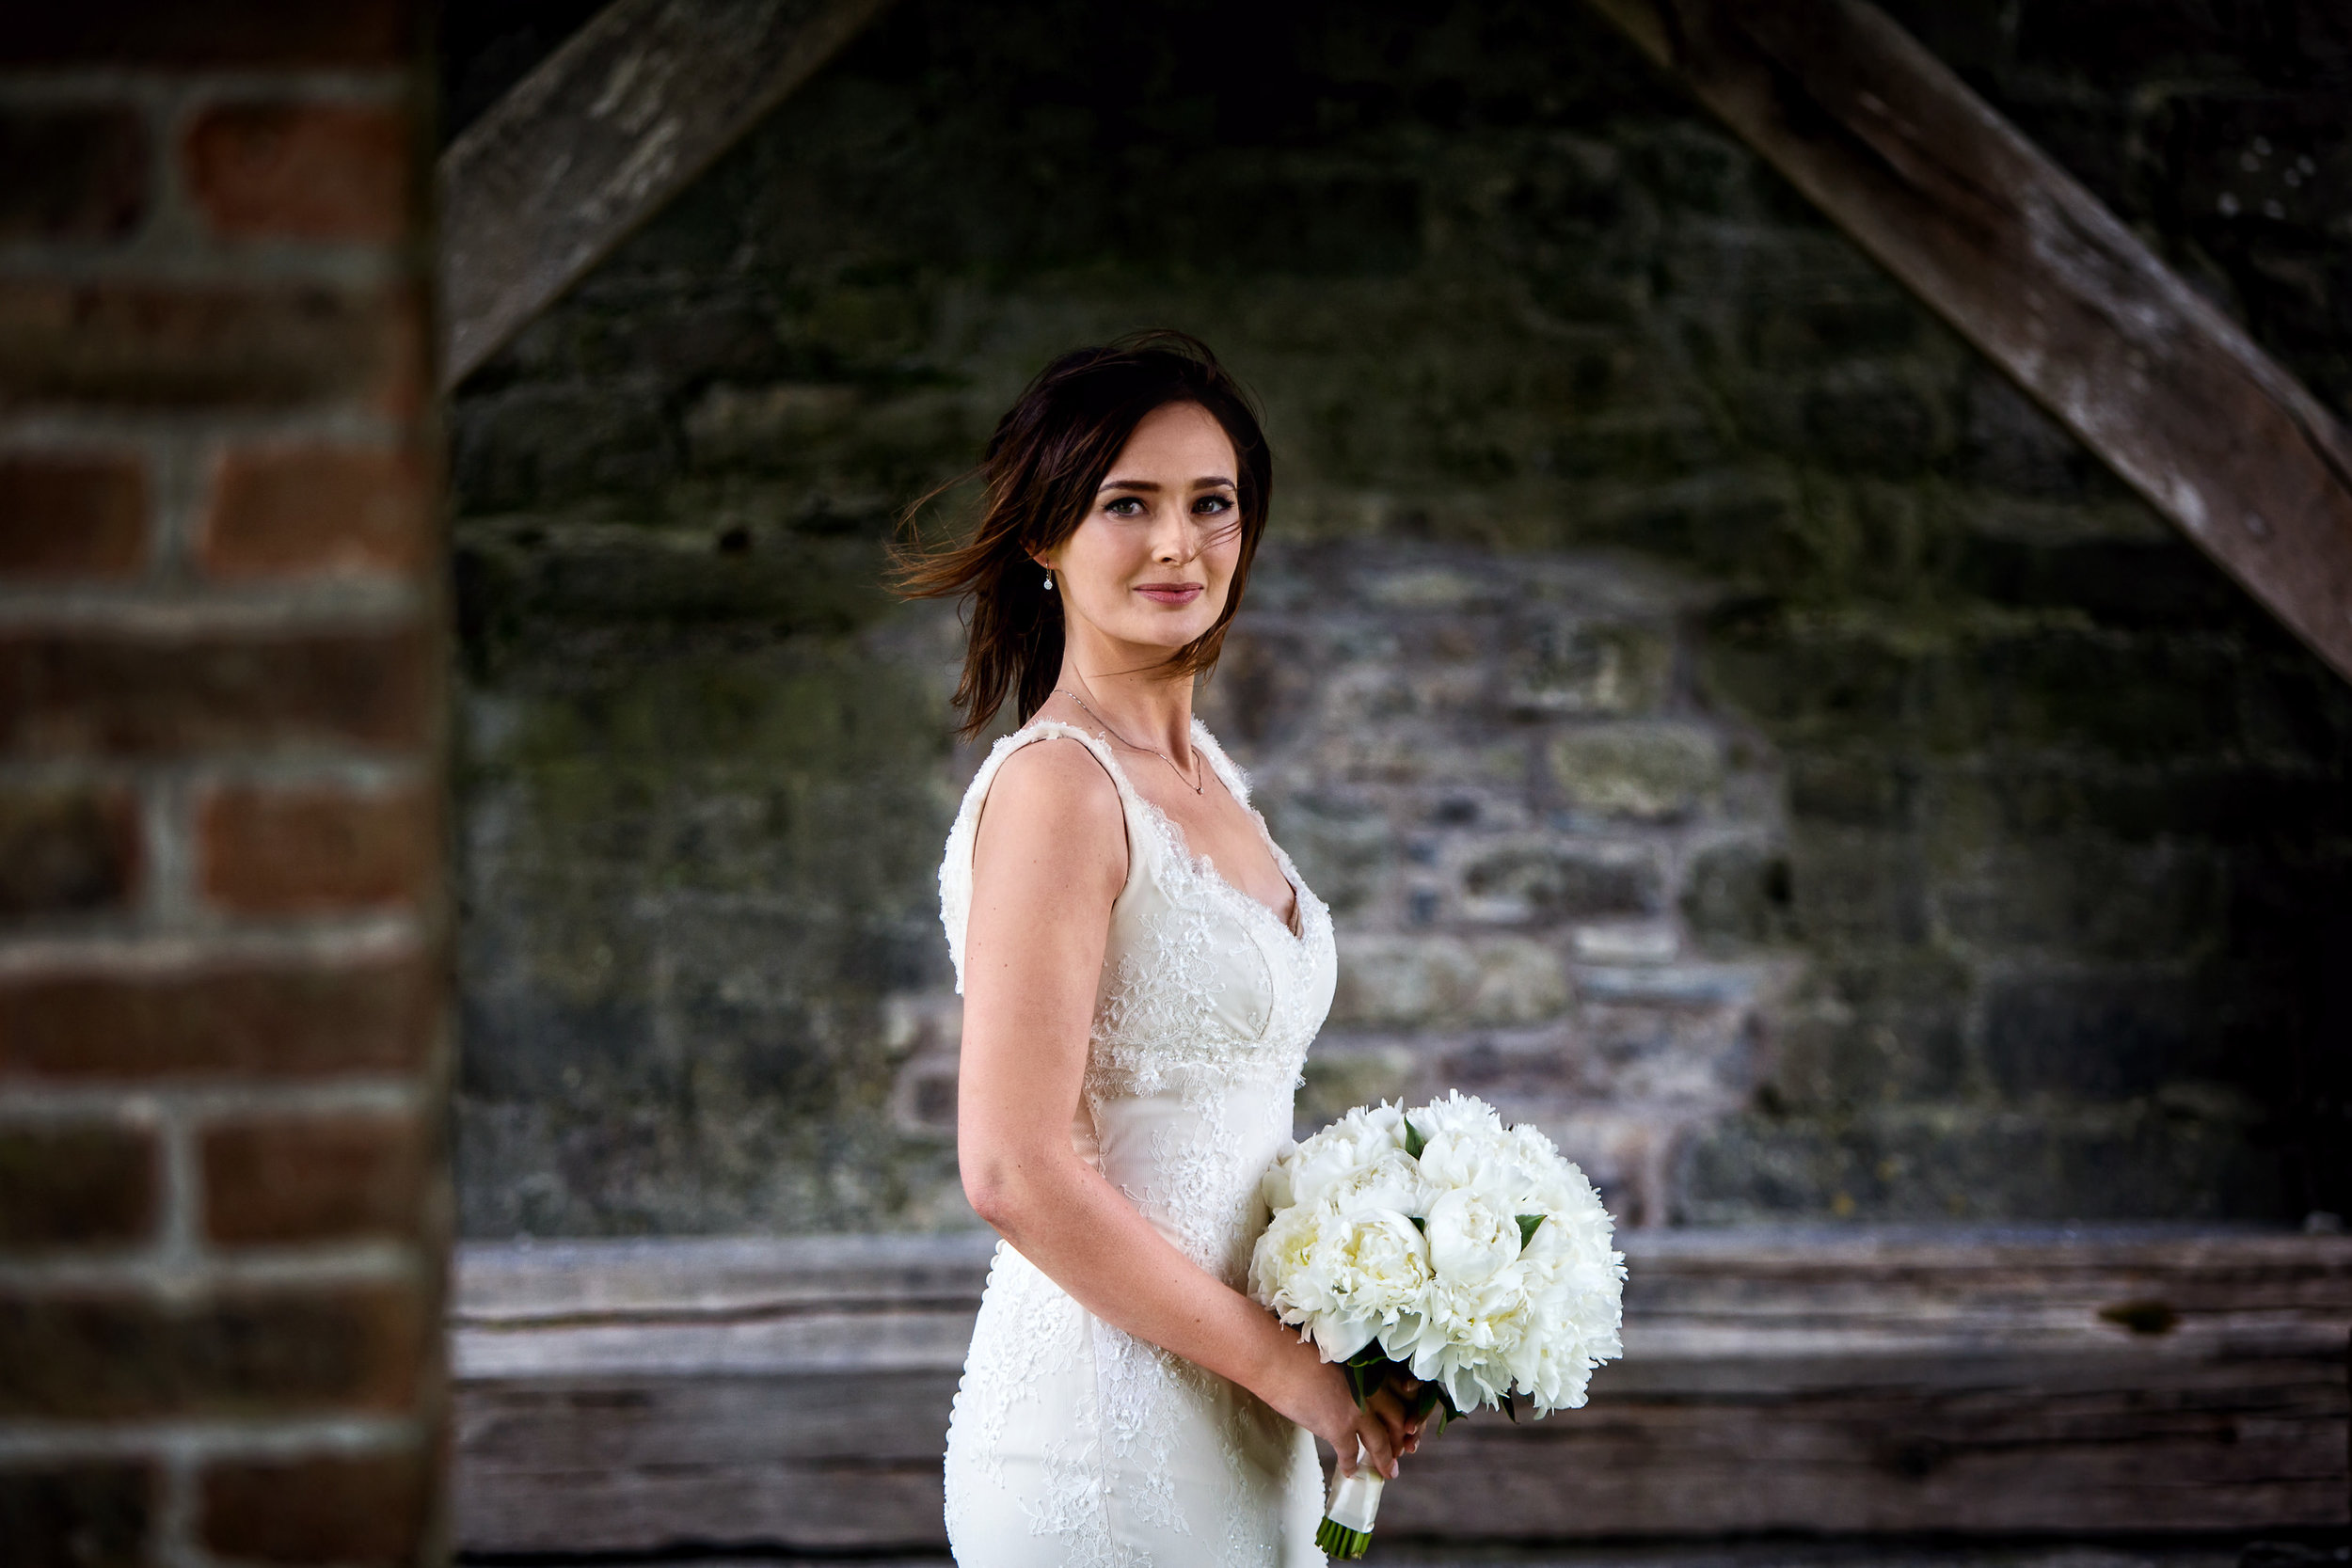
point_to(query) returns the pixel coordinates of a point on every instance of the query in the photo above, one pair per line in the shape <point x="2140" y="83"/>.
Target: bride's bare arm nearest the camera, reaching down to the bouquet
<point x="1048" y="864"/>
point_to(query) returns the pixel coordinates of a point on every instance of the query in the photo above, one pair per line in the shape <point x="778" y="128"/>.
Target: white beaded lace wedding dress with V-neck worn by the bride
<point x="1076" y="1445"/>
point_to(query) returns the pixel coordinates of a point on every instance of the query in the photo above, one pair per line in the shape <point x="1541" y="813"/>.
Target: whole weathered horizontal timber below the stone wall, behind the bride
<point x="629" y="1398"/>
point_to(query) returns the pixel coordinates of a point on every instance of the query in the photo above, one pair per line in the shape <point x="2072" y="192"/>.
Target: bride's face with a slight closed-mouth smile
<point x="1154" y="561"/>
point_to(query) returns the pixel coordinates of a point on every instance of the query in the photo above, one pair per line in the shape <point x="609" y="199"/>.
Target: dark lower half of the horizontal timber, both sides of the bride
<point x="2207" y="1447"/>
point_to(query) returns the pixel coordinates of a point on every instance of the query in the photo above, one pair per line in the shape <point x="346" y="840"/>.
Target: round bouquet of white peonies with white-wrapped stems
<point x="1436" y="1247"/>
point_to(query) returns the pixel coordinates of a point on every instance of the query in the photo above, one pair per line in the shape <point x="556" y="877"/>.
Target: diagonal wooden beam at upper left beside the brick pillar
<point x="601" y="138"/>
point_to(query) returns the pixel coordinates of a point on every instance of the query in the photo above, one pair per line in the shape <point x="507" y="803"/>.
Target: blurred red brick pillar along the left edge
<point x="222" y="641"/>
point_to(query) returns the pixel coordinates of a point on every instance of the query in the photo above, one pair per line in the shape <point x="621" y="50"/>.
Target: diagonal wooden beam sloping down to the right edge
<point x="2040" y="276"/>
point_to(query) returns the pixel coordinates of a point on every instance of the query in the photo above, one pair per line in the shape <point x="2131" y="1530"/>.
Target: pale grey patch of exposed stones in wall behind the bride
<point x="1502" y="777"/>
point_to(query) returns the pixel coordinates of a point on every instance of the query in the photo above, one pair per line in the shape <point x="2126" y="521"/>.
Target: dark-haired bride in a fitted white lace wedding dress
<point x="1142" y="974"/>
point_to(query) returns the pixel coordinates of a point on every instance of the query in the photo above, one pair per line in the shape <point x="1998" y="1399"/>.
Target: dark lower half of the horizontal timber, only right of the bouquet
<point x="2196" y="1449"/>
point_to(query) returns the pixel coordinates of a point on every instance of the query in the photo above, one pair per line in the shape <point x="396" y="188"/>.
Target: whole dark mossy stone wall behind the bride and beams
<point x="1735" y="725"/>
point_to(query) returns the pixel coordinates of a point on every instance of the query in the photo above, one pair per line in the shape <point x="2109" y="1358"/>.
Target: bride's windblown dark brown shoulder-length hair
<point x="1041" y="471"/>
